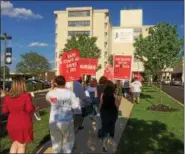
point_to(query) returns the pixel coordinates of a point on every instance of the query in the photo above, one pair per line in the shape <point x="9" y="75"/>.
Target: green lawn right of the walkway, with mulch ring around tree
<point x="154" y="131"/>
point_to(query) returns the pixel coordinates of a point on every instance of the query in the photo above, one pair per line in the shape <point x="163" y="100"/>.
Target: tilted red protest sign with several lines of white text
<point x="69" y="66"/>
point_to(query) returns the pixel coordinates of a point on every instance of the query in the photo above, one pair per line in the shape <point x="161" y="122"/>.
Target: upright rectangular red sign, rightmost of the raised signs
<point x="122" y="67"/>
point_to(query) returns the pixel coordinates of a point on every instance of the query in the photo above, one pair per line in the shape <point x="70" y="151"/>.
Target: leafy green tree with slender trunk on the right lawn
<point x="160" y="49"/>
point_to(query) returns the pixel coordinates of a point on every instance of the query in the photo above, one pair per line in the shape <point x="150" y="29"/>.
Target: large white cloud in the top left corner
<point x="7" y="9"/>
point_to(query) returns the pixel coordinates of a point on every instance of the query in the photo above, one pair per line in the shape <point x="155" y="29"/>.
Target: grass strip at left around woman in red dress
<point x="41" y="134"/>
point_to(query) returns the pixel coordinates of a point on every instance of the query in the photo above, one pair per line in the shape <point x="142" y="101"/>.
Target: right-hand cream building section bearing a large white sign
<point x="123" y="36"/>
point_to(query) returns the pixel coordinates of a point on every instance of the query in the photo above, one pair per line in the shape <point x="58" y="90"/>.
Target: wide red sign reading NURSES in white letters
<point x="88" y="66"/>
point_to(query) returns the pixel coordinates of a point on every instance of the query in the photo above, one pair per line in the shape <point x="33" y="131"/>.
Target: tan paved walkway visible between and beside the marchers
<point x="87" y="141"/>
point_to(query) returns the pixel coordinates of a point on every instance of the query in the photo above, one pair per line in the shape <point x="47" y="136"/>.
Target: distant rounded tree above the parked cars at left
<point x="32" y="63"/>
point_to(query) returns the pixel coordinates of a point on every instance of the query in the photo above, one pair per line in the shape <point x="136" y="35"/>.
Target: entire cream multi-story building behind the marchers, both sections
<point x="110" y="40"/>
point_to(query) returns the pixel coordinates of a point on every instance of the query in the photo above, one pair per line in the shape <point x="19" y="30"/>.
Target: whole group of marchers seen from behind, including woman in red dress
<point x="70" y="104"/>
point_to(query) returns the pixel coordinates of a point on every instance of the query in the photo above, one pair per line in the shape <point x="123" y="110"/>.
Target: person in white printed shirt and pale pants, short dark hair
<point x="62" y="101"/>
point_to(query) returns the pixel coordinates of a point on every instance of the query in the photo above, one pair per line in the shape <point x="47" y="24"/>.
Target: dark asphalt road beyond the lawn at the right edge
<point x="177" y="92"/>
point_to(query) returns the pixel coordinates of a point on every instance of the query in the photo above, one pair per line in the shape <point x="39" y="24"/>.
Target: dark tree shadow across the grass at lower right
<point x="149" y="137"/>
